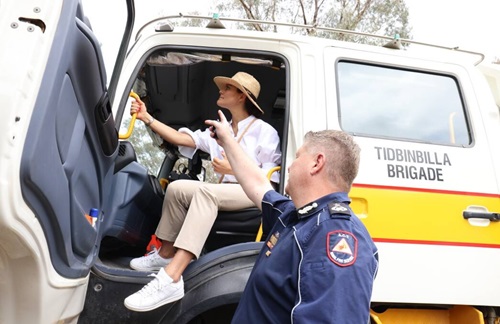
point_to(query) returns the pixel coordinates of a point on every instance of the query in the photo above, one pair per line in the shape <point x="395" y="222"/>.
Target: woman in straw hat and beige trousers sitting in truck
<point x="191" y="207"/>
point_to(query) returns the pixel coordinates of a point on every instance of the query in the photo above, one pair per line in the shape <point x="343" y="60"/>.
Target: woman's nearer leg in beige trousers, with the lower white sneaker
<point x="168" y="285"/>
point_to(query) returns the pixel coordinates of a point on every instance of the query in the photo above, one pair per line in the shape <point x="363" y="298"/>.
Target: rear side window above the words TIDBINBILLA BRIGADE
<point x="401" y="104"/>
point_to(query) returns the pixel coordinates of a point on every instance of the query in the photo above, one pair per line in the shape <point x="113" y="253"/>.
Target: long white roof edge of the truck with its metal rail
<point x="288" y="32"/>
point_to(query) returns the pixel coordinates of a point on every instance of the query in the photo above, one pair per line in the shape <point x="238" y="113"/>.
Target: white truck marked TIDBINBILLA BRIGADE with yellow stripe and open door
<point x="426" y="118"/>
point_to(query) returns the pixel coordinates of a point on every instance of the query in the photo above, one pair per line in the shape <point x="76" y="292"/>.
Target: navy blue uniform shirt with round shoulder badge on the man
<point x="317" y="265"/>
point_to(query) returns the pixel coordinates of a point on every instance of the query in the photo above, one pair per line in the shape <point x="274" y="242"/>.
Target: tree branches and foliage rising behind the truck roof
<point x="381" y="17"/>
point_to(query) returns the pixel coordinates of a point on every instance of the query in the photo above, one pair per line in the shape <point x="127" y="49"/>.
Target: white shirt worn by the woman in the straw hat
<point x="260" y="142"/>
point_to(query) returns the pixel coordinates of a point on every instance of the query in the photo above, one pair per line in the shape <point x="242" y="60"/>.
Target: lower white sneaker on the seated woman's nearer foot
<point x="160" y="291"/>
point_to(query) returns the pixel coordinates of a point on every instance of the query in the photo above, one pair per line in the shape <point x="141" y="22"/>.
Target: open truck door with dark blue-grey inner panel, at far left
<point x="58" y="148"/>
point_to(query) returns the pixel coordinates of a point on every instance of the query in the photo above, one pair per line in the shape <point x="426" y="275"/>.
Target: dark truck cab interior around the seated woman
<point x="178" y="89"/>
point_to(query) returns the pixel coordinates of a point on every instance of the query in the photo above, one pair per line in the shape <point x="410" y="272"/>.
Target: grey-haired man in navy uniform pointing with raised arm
<point x="319" y="261"/>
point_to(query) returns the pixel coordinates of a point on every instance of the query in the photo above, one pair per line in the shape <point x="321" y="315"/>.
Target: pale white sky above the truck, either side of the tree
<point x="470" y="25"/>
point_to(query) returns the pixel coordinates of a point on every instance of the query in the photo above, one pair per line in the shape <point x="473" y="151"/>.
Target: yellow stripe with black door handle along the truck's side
<point x="421" y="216"/>
